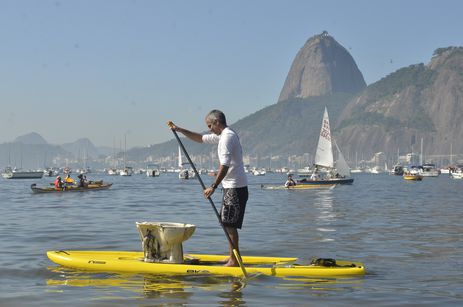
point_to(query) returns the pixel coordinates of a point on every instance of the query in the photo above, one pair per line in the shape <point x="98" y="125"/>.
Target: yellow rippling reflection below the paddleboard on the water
<point x="183" y="289"/>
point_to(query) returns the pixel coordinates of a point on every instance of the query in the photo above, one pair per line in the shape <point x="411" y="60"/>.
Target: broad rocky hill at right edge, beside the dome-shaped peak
<point x="413" y="103"/>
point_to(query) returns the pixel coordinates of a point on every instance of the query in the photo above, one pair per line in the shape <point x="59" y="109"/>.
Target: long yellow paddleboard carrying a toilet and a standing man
<point x="199" y="264"/>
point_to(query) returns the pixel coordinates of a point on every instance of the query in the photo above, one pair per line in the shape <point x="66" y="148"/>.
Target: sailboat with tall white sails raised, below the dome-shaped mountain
<point x="326" y="171"/>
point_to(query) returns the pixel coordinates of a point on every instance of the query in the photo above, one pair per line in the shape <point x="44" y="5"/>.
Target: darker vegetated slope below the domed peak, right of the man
<point x="288" y="127"/>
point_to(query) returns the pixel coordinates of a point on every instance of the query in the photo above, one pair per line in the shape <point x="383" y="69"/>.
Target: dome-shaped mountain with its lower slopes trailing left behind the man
<point x="322" y="74"/>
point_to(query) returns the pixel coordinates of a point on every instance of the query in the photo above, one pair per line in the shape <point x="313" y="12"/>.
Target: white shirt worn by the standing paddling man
<point x="231" y="155"/>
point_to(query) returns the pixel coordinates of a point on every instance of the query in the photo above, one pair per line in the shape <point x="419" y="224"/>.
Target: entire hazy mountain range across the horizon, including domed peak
<point x="419" y="102"/>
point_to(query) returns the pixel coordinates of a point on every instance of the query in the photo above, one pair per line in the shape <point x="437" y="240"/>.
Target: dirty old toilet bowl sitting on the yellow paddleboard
<point x="162" y="241"/>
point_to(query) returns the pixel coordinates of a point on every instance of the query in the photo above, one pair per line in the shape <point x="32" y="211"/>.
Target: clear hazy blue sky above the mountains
<point x="104" y="69"/>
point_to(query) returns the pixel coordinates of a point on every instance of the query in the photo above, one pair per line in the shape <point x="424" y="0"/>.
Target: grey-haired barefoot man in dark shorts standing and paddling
<point x="231" y="174"/>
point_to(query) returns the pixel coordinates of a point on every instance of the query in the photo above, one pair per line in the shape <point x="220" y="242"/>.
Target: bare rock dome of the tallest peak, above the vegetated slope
<point x="322" y="67"/>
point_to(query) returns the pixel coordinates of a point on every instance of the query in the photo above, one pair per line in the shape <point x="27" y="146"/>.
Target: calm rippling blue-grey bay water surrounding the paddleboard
<point x="408" y="234"/>
